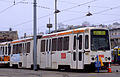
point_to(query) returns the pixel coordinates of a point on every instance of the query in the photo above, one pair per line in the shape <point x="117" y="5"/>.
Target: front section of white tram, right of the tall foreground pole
<point x="74" y="49"/>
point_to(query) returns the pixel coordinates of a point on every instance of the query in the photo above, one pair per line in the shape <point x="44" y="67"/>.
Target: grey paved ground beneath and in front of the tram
<point x="9" y="72"/>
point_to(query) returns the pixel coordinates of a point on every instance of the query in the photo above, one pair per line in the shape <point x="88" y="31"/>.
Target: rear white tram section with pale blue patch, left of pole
<point x="21" y="53"/>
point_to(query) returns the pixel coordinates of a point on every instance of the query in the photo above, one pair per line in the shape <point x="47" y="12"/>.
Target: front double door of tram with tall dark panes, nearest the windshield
<point x="78" y="51"/>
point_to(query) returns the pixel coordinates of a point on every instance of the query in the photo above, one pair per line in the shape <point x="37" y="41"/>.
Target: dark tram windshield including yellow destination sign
<point x="100" y="40"/>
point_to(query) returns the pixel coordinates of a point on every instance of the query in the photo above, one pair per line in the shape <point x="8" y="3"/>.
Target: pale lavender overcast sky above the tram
<point x="18" y="14"/>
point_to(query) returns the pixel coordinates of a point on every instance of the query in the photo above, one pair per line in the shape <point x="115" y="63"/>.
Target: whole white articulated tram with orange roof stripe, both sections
<point x="71" y="49"/>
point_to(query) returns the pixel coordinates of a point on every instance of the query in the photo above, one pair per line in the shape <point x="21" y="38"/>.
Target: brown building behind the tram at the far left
<point x="8" y="35"/>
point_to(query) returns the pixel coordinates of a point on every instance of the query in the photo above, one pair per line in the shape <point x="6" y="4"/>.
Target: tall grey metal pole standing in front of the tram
<point x="35" y="37"/>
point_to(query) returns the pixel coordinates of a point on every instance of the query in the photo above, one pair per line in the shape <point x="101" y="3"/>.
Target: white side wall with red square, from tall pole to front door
<point x="59" y="52"/>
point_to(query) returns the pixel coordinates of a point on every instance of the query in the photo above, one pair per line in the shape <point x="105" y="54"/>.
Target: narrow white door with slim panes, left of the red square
<point x="48" y="53"/>
